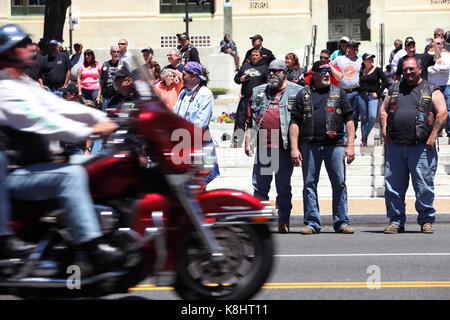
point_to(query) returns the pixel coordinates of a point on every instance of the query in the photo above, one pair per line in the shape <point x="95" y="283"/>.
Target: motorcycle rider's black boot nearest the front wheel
<point x="103" y="256"/>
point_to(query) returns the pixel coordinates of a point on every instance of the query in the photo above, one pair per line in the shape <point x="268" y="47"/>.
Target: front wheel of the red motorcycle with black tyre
<point x="248" y="261"/>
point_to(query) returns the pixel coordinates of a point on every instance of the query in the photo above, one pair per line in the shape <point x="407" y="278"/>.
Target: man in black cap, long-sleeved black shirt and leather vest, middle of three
<point x="317" y="134"/>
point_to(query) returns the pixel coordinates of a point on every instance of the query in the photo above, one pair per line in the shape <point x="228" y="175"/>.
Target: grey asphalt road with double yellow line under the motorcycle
<point x="367" y="265"/>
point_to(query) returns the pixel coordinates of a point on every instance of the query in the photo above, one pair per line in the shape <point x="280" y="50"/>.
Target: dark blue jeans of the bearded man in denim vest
<point x="267" y="162"/>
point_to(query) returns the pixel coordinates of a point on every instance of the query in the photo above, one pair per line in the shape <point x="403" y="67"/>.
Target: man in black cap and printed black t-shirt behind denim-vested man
<point x="250" y="75"/>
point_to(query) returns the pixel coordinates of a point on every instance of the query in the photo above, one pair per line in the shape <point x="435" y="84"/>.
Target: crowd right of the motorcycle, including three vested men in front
<point x="294" y="118"/>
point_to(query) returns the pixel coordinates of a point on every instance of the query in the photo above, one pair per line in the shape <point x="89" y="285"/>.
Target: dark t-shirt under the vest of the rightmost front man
<point x="403" y="127"/>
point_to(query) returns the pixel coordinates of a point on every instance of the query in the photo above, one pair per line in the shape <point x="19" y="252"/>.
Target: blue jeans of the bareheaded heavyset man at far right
<point x="401" y="162"/>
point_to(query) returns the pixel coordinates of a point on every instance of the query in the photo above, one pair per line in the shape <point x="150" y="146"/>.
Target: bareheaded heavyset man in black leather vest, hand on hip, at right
<point x="412" y="114"/>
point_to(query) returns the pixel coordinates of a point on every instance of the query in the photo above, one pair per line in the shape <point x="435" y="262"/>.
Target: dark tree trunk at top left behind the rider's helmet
<point x="55" y="18"/>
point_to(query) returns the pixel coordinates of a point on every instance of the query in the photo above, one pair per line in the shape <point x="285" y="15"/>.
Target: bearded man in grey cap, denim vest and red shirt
<point x="268" y="126"/>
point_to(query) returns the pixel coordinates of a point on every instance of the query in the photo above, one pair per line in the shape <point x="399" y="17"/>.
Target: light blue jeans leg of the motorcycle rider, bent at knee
<point x="67" y="183"/>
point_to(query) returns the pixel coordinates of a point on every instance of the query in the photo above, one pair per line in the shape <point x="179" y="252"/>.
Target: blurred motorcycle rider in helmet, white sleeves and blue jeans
<point x="30" y="117"/>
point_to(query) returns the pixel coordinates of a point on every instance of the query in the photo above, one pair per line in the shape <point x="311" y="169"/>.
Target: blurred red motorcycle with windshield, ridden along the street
<point x="206" y="244"/>
